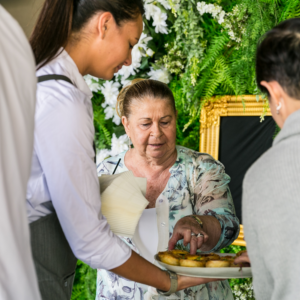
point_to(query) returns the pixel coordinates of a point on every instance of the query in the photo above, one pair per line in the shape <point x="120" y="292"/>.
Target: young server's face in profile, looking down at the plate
<point x="115" y="45"/>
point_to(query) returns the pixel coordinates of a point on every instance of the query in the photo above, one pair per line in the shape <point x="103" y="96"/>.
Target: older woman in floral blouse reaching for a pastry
<point x="188" y="190"/>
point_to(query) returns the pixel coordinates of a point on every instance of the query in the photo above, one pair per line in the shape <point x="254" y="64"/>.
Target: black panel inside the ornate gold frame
<point x="242" y="141"/>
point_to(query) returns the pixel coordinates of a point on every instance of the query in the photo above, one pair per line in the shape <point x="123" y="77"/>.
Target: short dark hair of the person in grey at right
<point x="278" y="57"/>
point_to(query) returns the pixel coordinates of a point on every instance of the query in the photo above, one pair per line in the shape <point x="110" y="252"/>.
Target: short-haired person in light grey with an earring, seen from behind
<point x="271" y="187"/>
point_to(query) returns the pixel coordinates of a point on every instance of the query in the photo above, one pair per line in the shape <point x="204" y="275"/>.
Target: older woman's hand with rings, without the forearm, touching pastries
<point x="184" y="229"/>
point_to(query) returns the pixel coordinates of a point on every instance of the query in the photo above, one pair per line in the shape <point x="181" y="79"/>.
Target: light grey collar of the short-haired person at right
<point x="291" y="127"/>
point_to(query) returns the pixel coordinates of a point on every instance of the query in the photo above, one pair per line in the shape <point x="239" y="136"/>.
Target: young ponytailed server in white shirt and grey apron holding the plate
<point x="73" y="38"/>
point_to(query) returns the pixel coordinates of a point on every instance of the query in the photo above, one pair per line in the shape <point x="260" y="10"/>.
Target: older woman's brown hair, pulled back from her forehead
<point x="138" y="90"/>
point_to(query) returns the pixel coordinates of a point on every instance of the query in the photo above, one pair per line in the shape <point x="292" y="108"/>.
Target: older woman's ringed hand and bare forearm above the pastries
<point x="187" y="226"/>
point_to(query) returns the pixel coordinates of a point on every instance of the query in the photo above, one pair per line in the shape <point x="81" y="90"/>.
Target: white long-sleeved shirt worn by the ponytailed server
<point x="63" y="172"/>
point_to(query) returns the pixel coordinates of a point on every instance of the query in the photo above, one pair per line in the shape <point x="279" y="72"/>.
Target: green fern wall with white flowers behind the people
<point x="201" y="49"/>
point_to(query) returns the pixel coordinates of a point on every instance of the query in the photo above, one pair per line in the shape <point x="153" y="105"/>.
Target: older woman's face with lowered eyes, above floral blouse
<point x="152" y="127"/>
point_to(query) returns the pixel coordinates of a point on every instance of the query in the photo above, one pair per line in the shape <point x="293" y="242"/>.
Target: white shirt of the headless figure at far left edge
<point x="17" y="105"/>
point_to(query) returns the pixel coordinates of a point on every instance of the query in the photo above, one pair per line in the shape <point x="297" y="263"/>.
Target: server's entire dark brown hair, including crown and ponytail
<point x="59" y="18"/>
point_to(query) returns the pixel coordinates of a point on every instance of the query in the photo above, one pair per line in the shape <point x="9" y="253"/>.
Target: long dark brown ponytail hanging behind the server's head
<point x="52" y="30"/>
